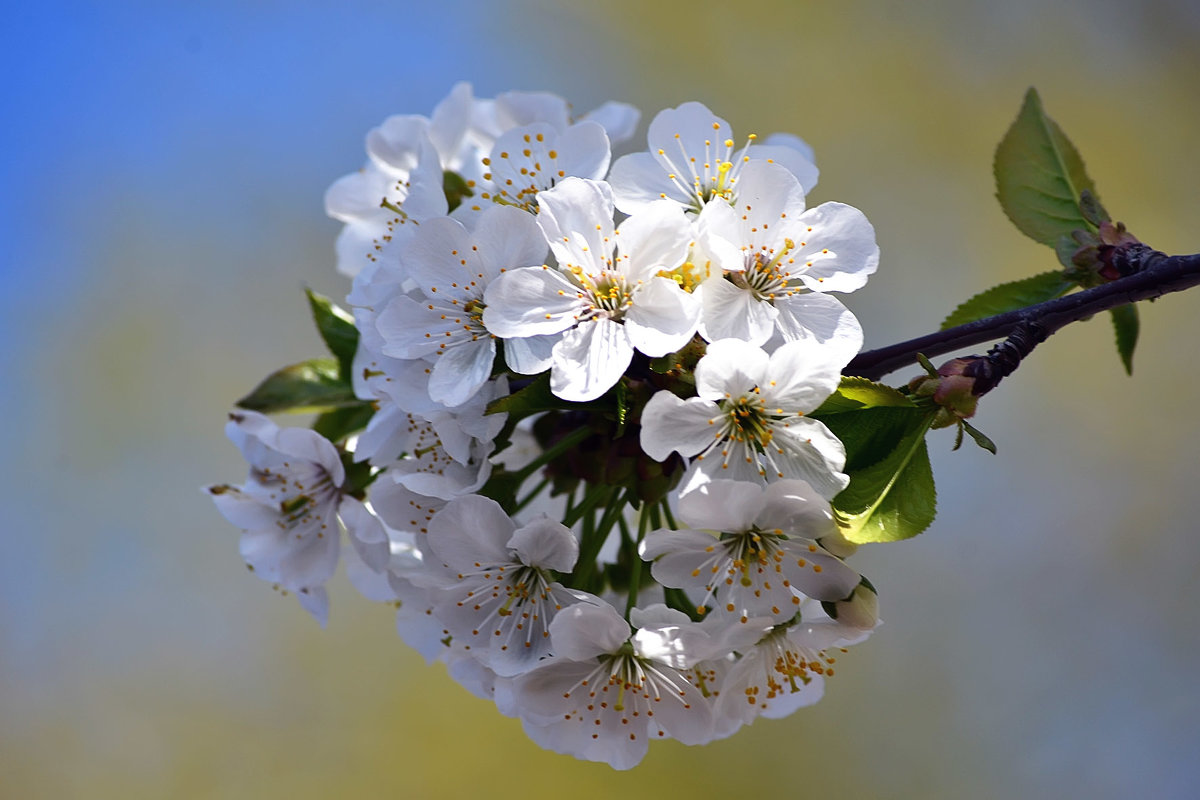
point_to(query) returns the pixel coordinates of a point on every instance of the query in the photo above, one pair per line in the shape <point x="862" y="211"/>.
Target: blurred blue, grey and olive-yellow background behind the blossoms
<point x="163" y="169"/>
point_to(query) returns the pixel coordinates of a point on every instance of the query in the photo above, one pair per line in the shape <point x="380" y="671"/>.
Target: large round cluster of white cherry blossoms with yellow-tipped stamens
<point x="590" y="483"/>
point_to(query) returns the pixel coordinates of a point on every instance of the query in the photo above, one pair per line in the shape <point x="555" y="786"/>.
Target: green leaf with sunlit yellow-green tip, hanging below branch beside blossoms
<point x="895" y="498"/>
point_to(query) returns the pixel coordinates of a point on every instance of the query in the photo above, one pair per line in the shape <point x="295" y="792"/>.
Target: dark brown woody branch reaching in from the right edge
<point x="1148" y="274"/>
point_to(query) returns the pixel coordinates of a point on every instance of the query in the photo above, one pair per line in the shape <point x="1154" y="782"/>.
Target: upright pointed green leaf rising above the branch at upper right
<point x="1040" y="177"/>
